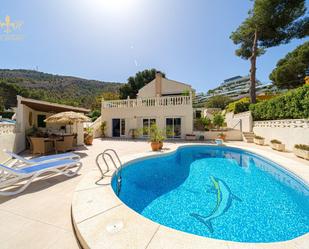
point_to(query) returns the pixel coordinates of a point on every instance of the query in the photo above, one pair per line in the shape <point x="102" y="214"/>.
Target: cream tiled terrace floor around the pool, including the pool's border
<point x="40" y="217"/>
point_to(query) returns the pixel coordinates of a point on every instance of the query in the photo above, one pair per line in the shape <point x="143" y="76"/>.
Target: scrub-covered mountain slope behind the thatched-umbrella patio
<point x="49" y="87"/>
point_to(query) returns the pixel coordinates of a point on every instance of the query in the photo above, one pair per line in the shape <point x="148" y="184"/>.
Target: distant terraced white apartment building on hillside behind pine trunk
<point x="235" y="88"/>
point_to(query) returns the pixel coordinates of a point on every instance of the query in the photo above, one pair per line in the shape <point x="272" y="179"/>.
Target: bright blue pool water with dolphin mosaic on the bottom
<point x="218" y="192"/>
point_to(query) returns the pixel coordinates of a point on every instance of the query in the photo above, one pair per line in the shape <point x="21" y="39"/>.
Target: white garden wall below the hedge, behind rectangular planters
<point x="288" y="131"/>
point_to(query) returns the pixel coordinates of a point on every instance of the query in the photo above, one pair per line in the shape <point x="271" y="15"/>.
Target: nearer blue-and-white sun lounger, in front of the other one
<point x="9" y="176"/>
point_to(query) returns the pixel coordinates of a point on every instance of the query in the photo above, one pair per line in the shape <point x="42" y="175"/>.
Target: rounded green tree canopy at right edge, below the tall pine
<point x="290" y="70"/>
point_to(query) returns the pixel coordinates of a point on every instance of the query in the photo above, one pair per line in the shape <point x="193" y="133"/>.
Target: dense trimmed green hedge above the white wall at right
<point x="292" y="105"/>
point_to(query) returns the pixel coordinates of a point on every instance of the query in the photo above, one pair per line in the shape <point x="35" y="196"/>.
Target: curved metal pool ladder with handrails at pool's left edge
<point x="112" y="155"/>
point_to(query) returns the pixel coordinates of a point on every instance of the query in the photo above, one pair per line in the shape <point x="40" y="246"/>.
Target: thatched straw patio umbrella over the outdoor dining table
<point x="67" y="118"/>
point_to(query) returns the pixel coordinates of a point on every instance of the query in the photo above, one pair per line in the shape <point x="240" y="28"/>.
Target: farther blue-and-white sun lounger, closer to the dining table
<point x="42" y="159"/>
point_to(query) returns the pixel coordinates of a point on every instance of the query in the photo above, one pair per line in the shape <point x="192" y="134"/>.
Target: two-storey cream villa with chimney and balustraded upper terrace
<point x="161" y="102"/>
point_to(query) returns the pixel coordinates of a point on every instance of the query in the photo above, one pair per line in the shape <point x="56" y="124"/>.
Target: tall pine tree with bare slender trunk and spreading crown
<point x="270" y="23"/>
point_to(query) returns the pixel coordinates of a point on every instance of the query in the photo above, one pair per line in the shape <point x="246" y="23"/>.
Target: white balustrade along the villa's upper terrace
<point x="148" y="102"/>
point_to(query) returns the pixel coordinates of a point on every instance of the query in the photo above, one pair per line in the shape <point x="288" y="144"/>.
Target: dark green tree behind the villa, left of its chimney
<point x="137" y="82"/>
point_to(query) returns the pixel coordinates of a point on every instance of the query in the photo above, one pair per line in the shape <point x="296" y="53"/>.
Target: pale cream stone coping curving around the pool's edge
<point x="101" y="220"/>
